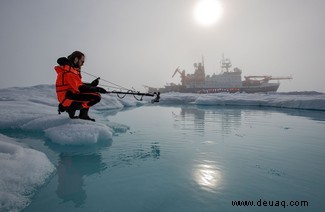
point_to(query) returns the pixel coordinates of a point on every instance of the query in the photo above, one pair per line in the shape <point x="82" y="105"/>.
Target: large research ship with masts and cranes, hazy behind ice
<point x="227" y="81"/>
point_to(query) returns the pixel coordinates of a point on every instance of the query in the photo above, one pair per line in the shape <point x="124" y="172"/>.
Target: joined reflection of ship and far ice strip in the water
<point x="226" y="120"/>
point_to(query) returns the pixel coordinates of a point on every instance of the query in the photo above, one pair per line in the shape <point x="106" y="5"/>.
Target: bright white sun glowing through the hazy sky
<point x="207" y="12"/>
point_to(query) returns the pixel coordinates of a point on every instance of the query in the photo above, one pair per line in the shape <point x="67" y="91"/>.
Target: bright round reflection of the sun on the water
<point x="207" y="175"/>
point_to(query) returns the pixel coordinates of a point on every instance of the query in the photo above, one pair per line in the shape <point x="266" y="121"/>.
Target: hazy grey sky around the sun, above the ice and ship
<point x="142" y="42"/>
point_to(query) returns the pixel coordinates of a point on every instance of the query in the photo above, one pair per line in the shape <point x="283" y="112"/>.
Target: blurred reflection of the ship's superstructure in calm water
<point x="221" y="120"/>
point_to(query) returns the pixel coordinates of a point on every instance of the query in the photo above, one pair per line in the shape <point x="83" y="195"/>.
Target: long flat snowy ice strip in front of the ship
<point x="297" y="100"/>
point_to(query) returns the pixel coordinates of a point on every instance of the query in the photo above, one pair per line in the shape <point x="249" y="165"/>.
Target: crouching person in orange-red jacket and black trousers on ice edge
<point x="71" y="92"/>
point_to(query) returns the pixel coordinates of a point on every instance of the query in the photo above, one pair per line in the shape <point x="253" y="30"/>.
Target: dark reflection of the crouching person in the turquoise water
<point x="71" y="171"/>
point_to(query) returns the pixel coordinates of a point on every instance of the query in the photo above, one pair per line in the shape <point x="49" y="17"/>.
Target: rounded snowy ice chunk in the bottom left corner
<point x="22" y="170"/>
